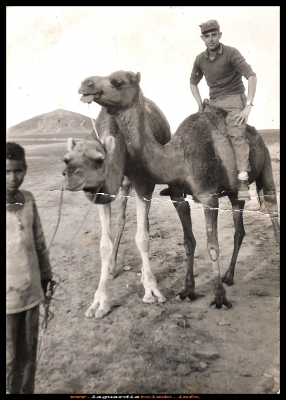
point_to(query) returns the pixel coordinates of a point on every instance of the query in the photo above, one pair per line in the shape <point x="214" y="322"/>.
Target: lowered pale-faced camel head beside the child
<point x="85" y="164"/>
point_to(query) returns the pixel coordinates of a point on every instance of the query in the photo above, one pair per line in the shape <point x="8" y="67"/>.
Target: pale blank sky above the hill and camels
<point x="52" y="49"/>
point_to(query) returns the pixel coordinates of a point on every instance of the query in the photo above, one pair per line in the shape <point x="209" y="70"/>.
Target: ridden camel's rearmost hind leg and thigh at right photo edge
<point x="267" y="194"/>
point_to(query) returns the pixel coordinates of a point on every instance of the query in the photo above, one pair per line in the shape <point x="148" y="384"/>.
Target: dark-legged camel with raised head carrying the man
<point x="199" y="160"/>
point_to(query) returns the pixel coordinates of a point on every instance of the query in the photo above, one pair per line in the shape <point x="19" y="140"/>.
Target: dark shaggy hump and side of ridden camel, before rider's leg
<point x="208" y="150"/>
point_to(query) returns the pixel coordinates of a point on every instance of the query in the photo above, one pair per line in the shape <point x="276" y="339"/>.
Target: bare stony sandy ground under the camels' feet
<point x="175" y="347"/>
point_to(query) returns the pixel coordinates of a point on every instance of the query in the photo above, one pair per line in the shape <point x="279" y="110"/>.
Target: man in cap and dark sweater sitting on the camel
<point x="223" y="67"/>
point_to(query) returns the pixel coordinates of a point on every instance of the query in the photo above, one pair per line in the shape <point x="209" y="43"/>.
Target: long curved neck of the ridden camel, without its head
<point x="162" y="162"/>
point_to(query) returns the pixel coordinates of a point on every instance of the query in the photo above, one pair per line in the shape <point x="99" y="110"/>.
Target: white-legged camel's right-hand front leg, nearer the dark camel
<point x="142" y="239"/>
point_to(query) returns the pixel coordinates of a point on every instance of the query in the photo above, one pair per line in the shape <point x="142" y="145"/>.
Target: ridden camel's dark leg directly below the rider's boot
<point x="237" y="207"/>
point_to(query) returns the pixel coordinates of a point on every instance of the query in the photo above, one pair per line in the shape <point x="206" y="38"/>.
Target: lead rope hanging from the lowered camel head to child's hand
<point x="52" y="285"/>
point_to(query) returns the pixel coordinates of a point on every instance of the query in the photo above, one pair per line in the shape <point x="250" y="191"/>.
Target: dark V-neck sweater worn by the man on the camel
<point x="223" y="74"/>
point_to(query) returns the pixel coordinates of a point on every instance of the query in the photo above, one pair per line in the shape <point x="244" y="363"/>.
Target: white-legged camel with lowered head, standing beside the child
<point x="102" y="165"/>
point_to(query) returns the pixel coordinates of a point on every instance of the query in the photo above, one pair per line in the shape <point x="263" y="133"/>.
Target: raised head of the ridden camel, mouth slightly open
<point x="117" y="91"/>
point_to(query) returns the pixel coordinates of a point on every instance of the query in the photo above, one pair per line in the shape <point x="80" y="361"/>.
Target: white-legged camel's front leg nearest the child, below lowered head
<point x="100" y="307"/>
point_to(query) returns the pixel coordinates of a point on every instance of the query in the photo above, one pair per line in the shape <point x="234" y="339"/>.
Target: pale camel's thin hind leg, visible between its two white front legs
<point x="120" y="223"/>
